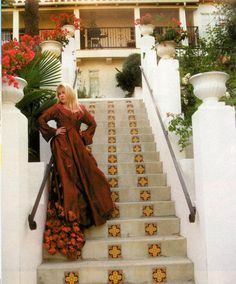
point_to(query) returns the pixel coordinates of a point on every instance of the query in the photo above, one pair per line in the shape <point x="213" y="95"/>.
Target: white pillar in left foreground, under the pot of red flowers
<point x="14" y="181"/>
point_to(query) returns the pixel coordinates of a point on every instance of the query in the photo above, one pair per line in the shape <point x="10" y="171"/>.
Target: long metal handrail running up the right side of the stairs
<point x="192" y="208"/>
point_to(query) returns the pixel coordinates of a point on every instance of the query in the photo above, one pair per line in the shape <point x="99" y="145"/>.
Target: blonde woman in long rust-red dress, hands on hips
<point x="80" y="194"/>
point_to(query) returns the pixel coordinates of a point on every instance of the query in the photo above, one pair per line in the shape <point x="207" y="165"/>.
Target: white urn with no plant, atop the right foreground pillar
<point x="209" y="86"/>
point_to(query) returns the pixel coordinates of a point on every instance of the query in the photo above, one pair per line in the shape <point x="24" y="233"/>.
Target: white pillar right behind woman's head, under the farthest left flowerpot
<point x="68" y="61"/>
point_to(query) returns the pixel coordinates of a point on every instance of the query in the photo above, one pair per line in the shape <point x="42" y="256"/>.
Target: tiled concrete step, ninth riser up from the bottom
<point x="124" y="147"/>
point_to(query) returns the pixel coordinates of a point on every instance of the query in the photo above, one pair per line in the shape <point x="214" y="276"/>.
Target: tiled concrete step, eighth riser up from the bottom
<point x="126" y="157"/>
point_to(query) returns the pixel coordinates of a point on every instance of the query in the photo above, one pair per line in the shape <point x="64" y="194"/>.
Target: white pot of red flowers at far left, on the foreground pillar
<point x="16" y="55"/>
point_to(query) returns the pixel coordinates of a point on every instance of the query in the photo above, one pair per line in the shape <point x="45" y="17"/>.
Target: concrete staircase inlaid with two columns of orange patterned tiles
<point x="141" y="244"/>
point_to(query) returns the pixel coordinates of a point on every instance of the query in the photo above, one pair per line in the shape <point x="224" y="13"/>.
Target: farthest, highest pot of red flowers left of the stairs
<point x="68" y="22"/>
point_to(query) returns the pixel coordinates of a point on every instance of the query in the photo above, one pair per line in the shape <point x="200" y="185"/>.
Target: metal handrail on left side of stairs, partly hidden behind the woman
<point x="32" y="223"/>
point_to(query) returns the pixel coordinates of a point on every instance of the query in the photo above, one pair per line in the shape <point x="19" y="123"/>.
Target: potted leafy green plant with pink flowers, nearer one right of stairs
<point x="169" y="38"/>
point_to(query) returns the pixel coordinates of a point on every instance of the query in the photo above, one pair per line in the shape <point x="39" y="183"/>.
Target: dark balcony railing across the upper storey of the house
<point x="115" y="37"/>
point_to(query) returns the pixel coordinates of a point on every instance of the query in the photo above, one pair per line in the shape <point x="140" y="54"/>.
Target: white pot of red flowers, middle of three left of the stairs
<point x="54" y="41"/>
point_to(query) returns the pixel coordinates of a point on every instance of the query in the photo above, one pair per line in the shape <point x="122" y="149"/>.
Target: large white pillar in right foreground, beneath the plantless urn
<point x="214" y="140"/>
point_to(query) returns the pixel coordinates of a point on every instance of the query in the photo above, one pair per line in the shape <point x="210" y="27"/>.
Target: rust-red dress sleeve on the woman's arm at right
<point x="88" y="119"/>
